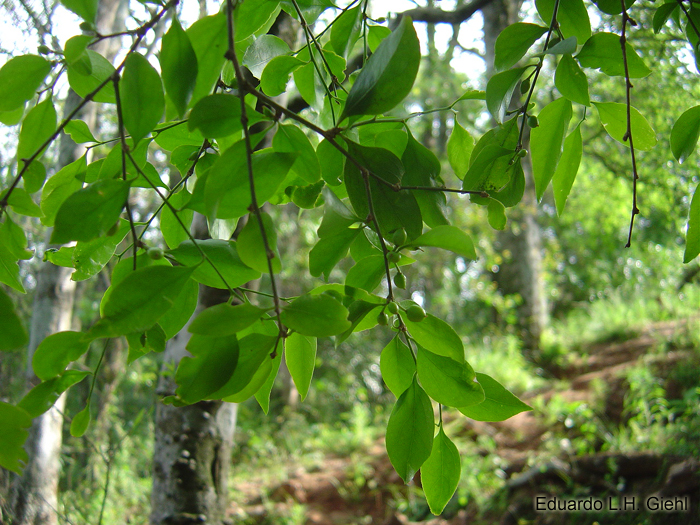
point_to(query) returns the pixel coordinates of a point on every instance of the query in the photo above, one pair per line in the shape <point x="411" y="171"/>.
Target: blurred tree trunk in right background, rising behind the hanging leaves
<point x="521" y="241"/>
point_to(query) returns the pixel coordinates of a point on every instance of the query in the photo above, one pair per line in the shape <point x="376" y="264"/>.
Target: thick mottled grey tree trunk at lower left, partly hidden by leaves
<point x="192" y="444"/>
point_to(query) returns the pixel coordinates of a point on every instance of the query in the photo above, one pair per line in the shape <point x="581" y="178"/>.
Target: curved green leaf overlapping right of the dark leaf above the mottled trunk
<point x="254" y="351"/>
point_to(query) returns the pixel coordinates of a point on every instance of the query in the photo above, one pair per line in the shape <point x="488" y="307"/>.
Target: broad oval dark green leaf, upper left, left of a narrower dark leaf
<point x="142" y="99"/>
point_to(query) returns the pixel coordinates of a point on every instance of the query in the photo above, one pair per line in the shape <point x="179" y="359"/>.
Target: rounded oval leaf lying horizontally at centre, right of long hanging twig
<point x="316" y="316"/>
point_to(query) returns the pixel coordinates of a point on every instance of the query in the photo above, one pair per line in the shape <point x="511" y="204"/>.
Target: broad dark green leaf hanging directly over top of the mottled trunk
<point x="213" y="362"/>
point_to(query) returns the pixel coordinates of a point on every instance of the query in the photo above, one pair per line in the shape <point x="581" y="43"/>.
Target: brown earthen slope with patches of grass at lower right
<point x="535" y="458"/>
